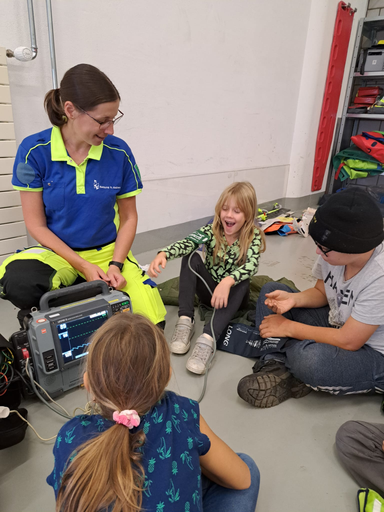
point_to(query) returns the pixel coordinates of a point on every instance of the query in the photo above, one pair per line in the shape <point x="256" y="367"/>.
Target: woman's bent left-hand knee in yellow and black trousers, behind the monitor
<point x="27" y="275"/>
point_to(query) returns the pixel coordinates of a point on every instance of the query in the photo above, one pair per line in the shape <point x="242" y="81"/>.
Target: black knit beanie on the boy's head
<point x="349" y="222"/>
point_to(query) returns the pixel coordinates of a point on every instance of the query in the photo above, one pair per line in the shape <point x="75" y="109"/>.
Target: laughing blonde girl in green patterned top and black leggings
<point x="233" y="245"/>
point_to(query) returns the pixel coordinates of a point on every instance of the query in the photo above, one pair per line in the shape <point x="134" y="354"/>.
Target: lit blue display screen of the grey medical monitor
<point x="74" y="334"/>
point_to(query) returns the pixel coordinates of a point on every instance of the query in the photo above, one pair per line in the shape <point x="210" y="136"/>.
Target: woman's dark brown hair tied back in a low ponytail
<point x="85" y="86"/>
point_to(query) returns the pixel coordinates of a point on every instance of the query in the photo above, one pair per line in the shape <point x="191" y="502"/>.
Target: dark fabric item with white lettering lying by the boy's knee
<point x="243" y="340"/>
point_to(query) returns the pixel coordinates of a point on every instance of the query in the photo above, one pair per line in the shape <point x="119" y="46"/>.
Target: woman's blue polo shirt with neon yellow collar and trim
<point x="79" y="200"/>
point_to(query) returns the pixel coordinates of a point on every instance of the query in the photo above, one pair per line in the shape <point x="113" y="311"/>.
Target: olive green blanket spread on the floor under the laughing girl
<point x="169" y="292"/>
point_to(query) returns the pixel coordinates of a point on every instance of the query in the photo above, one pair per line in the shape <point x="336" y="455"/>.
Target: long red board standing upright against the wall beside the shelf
<point x="339" y="49"/>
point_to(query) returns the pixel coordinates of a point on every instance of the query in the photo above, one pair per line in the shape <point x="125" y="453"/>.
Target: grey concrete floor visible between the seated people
<point x="293" y="443"/>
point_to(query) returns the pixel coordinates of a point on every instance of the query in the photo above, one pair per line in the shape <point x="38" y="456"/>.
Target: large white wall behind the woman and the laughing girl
<point x="210" y="89"/>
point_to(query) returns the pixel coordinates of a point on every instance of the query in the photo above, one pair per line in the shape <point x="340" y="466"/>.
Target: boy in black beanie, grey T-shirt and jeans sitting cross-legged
<point x="335" y="330"/>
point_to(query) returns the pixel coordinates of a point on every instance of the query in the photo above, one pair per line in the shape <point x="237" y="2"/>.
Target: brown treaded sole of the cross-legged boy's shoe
<point x="266" y="391"/>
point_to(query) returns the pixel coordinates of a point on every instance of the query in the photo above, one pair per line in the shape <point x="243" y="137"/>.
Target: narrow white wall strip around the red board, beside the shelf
<point x="316" y="58"/>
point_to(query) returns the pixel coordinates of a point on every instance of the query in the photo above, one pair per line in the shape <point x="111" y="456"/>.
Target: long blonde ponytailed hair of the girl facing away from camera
<point x="128" y="367"/>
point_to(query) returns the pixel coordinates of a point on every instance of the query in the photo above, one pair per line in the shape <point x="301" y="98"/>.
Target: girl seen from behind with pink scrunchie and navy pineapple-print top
<point x="148" y="447"/>
